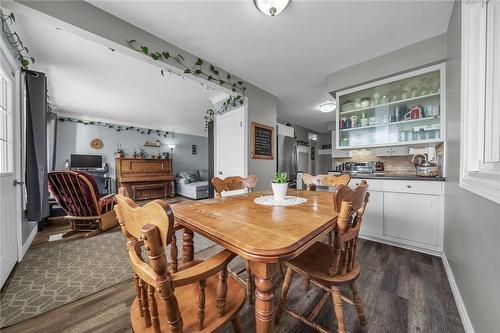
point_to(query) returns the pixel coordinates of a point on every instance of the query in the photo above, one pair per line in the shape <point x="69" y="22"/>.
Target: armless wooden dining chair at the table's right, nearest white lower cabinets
<point x="341" y="269"/>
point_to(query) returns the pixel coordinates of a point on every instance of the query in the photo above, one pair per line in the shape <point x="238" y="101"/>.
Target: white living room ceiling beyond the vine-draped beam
<point x="90" y="81"/>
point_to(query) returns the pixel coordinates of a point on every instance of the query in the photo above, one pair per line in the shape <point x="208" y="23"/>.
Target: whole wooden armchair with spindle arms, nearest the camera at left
<point x="193" y="299"/>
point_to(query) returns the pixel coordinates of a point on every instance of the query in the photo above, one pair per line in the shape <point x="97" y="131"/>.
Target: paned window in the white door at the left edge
<point x="5" y="125"/>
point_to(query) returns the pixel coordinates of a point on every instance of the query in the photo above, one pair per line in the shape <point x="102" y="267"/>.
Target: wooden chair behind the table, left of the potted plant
<point x="234" y="183"/>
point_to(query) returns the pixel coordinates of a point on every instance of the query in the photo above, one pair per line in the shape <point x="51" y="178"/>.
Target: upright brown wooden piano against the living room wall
<point x="145" y="179"/>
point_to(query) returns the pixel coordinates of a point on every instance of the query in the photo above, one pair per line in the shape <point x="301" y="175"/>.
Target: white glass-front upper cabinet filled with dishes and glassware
<point x="408" y="109"/>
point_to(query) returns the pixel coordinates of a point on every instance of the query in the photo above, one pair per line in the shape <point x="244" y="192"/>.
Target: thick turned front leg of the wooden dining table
<point x="264" y="311"/>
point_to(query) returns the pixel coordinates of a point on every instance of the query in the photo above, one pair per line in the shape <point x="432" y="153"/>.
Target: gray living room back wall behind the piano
<point x="75" y="138"/>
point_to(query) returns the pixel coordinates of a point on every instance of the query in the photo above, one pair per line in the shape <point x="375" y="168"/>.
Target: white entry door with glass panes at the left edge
<point x="10" y="215"/>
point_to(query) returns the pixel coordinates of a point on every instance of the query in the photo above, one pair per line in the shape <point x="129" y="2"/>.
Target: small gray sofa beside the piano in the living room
<point x="192" y="184"/>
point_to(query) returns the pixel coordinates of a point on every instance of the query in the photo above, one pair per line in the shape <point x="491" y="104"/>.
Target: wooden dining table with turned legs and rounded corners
<point x="264" y="235"/>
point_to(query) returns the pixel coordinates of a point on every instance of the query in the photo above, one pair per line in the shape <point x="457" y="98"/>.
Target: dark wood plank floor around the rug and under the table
<point x="402" y="291"/>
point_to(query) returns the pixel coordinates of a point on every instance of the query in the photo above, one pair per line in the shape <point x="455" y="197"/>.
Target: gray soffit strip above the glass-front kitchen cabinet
<point x="429" y="51"/>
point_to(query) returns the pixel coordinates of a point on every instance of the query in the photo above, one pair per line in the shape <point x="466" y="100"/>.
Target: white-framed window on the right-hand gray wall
<point x="480" y="105"/>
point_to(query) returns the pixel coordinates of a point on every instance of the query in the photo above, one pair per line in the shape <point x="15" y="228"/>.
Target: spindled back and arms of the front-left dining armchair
<point x="151" y="228"/>
